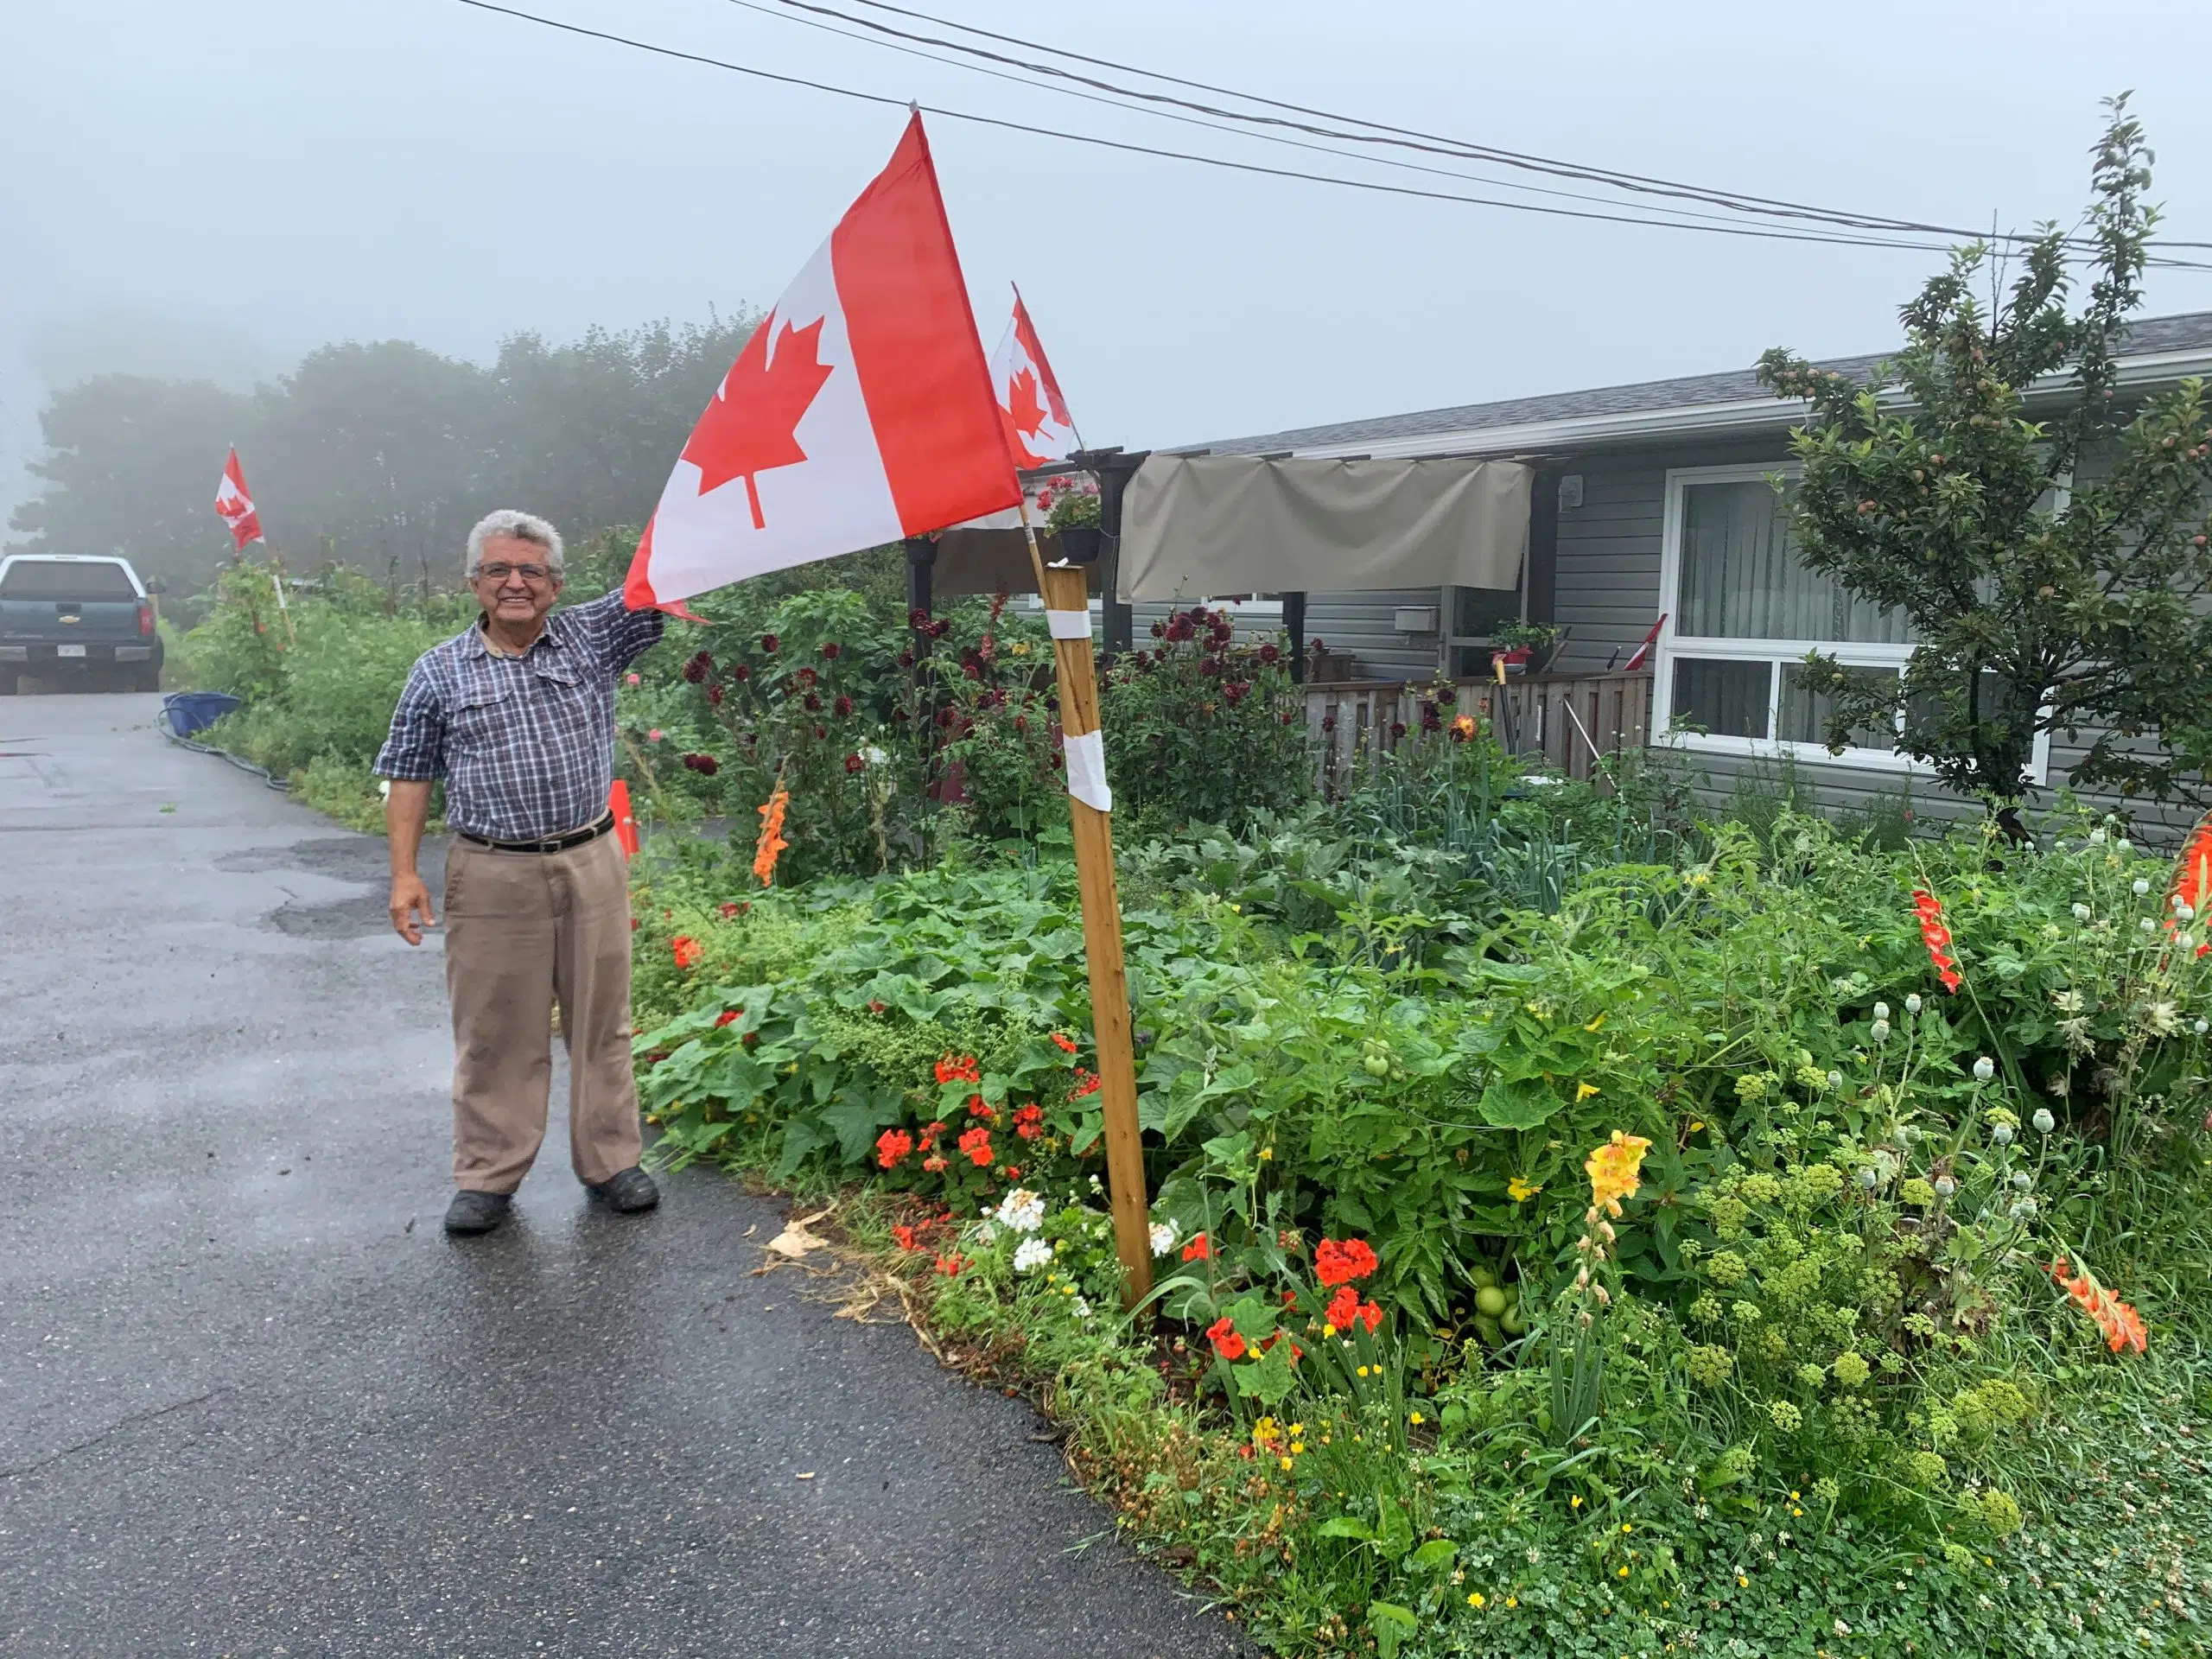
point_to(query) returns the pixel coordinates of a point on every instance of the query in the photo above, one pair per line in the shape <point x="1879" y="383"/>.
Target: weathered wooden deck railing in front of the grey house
<point x="1567" y="720"/>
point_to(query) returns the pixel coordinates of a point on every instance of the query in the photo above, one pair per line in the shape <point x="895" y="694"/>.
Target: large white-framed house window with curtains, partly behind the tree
<point x="1742" y="616"/>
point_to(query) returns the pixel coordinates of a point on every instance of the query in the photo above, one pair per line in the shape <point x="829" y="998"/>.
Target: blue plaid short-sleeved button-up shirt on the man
<point x="525" y="744"/>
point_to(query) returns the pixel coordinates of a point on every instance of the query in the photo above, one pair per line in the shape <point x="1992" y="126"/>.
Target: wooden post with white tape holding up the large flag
<point x="1067" y="607"/>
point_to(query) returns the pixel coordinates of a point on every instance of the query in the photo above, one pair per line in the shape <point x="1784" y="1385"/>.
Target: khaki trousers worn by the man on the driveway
<point x="528" y="930"/>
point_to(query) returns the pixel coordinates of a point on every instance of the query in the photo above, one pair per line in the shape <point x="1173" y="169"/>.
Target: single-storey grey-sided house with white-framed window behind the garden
<point x="1653" y="501"/>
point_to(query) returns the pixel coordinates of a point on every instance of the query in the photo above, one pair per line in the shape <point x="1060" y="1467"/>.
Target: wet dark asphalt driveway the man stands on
<point x="253" y="1401"/>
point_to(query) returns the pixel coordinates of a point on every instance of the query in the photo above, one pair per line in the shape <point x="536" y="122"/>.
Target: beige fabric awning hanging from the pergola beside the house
<point x="1200" y="525"/>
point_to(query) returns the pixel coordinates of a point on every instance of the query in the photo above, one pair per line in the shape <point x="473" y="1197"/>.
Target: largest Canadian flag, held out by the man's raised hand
<point x="857" y="415"/>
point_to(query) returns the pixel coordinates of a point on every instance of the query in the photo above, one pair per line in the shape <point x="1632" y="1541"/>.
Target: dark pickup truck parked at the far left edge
<point x="76" y="620"/>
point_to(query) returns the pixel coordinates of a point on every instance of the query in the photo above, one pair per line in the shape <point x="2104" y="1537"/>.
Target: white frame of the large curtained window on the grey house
<point x="1780" y="654"/>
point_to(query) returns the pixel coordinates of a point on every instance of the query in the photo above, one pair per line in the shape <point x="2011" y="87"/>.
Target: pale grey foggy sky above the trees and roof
<point x="222" y="187"/>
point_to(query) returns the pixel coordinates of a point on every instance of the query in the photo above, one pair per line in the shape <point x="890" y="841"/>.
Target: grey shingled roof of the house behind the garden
<point x="2147" y="337"/>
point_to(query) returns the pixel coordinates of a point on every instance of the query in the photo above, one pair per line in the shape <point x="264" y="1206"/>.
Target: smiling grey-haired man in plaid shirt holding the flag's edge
<point x="519" y="718"/>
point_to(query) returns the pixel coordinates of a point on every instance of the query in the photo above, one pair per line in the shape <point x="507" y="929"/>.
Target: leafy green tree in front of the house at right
<point x="2054" y="567"/>
